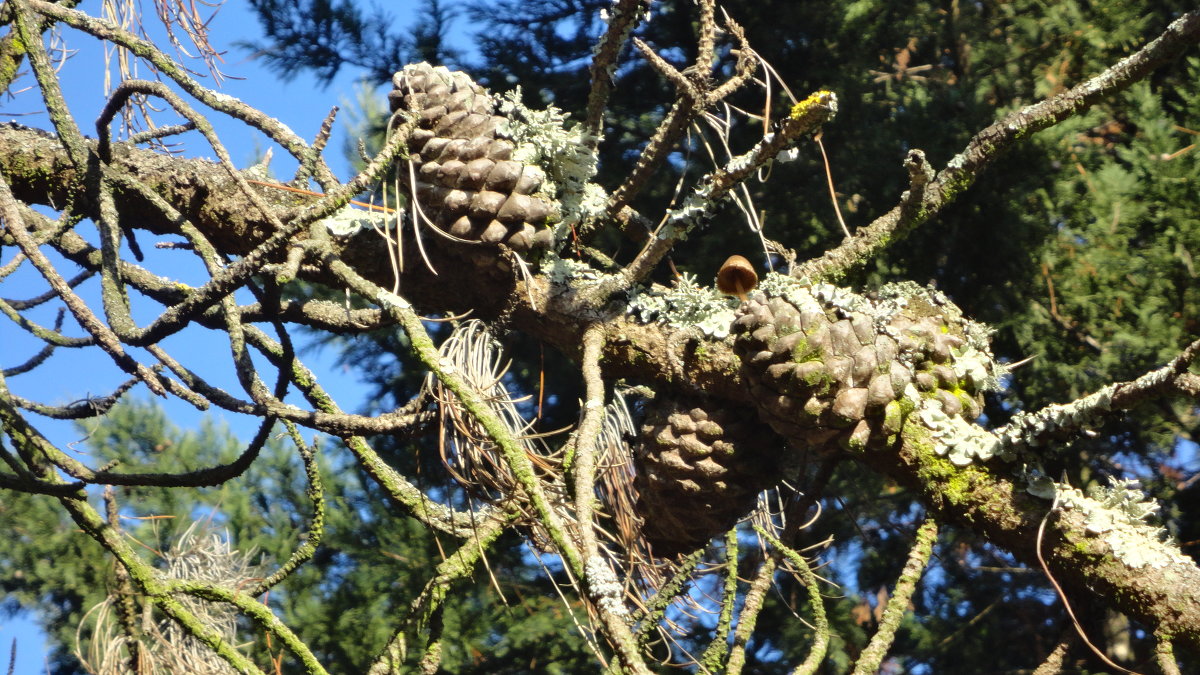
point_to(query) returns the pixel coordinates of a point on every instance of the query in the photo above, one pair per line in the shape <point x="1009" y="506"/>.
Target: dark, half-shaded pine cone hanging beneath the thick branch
<point x="700" y="471"/>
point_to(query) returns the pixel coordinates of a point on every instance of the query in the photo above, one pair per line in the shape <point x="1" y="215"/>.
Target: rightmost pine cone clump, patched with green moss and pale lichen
<point x="830" y="371"/>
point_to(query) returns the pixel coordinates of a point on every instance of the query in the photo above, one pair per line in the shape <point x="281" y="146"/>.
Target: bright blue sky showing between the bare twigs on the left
<point x="74" y="374"/>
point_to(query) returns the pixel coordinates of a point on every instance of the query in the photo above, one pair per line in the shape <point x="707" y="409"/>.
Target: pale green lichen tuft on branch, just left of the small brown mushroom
<point x="686" y="306"/>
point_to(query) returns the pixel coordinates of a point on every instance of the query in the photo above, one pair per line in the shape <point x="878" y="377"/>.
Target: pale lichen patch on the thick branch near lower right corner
<point x="1118" y="513"/>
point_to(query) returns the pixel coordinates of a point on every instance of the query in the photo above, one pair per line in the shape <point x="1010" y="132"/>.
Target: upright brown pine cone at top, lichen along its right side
<point x="466" y="180"/>
